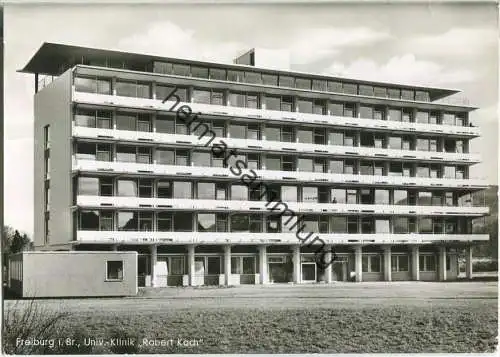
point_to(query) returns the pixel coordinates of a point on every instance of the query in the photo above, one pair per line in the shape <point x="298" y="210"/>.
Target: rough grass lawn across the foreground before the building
<point x="211" y="323"/>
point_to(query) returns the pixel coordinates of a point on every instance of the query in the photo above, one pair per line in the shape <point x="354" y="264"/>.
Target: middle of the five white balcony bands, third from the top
<point x="183" y="172"/>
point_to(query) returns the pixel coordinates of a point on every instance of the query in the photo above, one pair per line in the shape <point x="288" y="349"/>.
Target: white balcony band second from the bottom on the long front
<point x="165" y="204"/>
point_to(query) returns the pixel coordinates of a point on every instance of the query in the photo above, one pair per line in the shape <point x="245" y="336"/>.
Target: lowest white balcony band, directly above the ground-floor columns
<point x="113" y="237"/>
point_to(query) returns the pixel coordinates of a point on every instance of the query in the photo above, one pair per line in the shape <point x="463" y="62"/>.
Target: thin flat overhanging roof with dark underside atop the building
<point x="51" y="57"/>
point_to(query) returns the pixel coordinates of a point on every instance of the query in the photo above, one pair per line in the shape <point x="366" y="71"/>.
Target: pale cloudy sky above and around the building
<point x="444" y="45"/>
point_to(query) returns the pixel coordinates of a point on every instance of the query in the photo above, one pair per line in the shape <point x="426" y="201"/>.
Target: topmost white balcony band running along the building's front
<point x="274" y="115"/>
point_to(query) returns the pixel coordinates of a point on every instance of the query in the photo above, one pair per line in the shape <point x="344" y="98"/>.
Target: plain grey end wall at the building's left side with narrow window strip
<point x="53" y="108"/>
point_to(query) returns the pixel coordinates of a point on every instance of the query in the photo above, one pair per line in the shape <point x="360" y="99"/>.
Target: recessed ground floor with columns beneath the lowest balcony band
<point x="189" y="265"/>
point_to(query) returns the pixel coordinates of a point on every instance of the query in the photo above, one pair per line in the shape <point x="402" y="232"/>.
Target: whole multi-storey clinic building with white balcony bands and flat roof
<point x="379" y="172"/>
